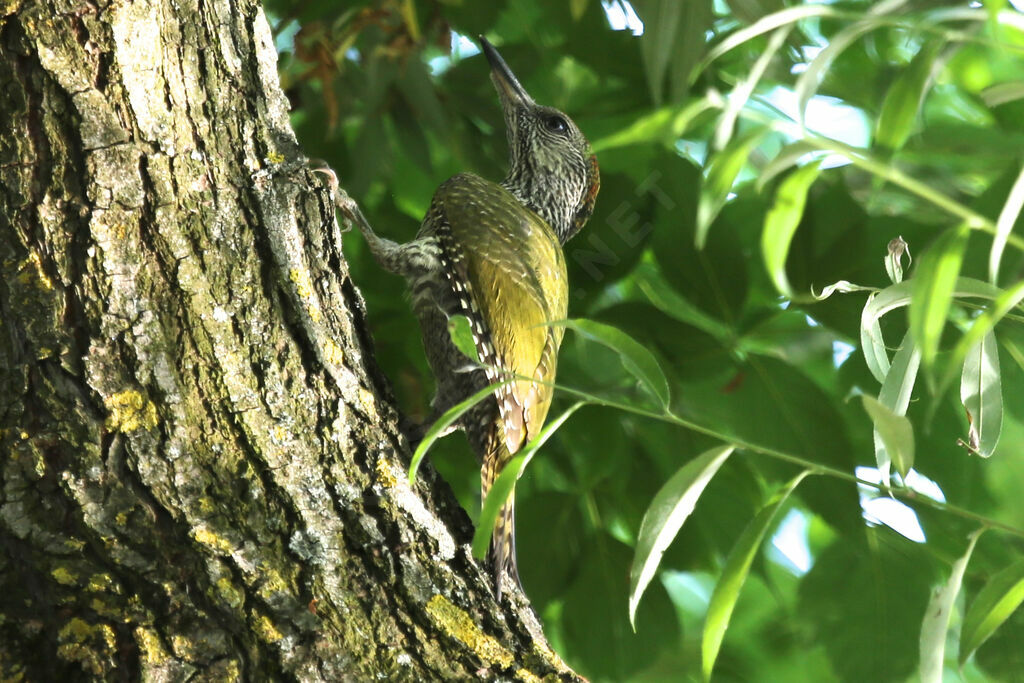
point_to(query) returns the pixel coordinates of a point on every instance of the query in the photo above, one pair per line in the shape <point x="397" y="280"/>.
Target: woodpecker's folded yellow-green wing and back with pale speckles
<point x="517" y="271"/>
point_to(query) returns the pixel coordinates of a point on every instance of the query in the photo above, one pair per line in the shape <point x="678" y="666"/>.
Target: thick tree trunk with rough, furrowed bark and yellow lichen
<point x="202" y="476"/>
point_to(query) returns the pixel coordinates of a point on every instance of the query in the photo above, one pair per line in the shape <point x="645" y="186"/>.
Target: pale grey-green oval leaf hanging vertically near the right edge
<point x="982" y="395"/>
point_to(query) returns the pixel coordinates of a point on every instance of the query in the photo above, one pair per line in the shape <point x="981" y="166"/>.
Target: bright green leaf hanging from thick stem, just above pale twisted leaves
<point x="934" y="283"/>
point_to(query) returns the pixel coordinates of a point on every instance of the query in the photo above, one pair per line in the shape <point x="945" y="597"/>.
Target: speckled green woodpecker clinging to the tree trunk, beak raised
<point x="493" y="252"/>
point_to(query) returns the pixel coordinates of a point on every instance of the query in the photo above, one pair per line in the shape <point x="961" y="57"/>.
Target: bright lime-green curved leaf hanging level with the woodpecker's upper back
<point x="782" y="223"/>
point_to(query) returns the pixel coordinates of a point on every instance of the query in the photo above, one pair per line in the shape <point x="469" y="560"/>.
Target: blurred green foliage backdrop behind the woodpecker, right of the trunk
<point x="705" y="251"/>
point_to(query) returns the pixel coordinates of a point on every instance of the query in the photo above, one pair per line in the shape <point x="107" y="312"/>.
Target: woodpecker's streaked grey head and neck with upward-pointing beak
<point x="551" y="167"/>
